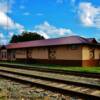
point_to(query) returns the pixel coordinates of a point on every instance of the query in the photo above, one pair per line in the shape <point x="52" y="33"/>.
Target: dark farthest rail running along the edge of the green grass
<point x="44" y="69"/>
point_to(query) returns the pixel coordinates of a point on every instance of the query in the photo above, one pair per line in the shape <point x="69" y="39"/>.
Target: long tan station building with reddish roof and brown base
<point x="69" y="51"/>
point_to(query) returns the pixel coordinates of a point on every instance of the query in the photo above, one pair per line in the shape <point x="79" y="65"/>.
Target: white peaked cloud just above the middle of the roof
<point x="48" y="30"/>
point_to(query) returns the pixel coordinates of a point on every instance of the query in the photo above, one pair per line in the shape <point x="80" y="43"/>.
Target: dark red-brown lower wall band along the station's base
<point x="84" y="63"/>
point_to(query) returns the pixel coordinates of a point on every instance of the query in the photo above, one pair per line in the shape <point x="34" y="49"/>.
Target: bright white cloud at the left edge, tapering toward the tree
<point x="5" y="21"/>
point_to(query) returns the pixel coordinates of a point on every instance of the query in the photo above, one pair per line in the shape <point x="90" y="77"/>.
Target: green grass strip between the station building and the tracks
<point x="60" y="67"/>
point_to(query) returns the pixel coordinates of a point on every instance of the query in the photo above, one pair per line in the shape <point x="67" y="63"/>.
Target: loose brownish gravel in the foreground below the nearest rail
<point x="11" y="90"/>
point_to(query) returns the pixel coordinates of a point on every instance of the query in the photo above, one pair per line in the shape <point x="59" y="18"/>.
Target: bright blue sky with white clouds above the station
<point x="50" y="18"/>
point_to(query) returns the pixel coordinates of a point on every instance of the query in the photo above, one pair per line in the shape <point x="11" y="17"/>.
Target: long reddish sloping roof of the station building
<point x="50" y="42"/>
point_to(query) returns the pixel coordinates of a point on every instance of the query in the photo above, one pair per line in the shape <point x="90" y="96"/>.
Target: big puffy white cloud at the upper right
<point x="89" y="14"/>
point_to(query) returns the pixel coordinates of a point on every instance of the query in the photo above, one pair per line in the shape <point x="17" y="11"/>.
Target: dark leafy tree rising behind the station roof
<point x="26" y="36"/>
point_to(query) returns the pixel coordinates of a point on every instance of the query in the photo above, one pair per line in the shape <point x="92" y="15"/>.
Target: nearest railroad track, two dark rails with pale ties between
<point x="84" y="90"/>
